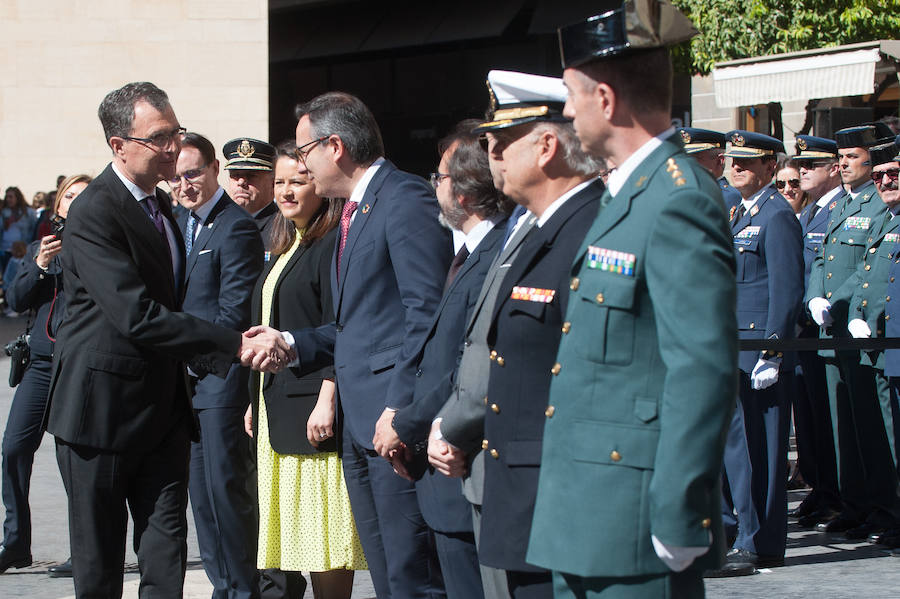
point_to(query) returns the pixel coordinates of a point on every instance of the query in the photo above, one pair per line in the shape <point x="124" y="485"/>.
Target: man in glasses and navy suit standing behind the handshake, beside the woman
<point x="224" y="258"/>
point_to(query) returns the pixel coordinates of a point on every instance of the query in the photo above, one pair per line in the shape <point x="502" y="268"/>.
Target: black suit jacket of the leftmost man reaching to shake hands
<point x="118" y="379"/>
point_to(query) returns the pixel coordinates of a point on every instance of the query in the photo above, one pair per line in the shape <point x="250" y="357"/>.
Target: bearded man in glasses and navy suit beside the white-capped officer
<point x="472" y="205"/>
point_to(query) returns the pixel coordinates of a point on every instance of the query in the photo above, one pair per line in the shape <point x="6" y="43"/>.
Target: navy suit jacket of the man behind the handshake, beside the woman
<point x="220" y="273"/>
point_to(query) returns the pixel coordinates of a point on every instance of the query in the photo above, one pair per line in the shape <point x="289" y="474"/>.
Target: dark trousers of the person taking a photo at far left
<point x="20" y="442"/>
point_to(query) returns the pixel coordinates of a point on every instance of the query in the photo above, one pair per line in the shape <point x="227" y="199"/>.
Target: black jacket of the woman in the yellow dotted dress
<point x="302" y="299"/>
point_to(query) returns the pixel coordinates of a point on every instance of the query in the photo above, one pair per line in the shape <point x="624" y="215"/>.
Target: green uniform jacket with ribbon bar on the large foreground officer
<point x="646" y="383"/>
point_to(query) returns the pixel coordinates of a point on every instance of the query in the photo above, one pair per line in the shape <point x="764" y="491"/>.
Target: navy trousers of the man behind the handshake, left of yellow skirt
<point x="224" y="513"/>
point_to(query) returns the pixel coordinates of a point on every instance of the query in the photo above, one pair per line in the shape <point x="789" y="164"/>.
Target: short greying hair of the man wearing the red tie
<point x="345" y="115"/>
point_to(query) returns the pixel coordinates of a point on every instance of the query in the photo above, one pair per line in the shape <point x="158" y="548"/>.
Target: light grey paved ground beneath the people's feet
<point x="817" y="565"/>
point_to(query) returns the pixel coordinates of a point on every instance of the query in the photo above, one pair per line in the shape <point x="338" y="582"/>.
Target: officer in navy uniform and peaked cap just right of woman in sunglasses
<point x="820" y="179"/>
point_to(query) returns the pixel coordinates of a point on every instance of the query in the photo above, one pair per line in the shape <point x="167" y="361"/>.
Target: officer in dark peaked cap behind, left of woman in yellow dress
<point x="251" y="181"/>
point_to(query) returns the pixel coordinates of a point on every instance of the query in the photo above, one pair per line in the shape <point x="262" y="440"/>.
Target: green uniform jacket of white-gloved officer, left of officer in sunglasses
<point x="833" y="271"/>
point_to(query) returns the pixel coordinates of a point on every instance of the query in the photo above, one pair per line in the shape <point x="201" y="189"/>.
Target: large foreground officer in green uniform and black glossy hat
<point x="629" y="496"/>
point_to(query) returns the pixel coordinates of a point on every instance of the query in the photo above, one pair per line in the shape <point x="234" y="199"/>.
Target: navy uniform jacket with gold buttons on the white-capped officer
<point x="525" y="334"/>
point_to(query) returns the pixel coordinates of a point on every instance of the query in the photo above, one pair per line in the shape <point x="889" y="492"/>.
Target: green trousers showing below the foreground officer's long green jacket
<point x="674" y="585"/>
